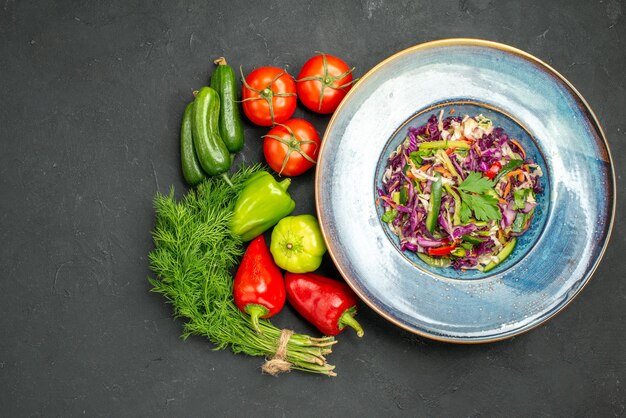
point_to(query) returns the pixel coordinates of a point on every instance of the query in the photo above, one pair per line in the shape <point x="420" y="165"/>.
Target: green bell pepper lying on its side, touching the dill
<point x="262" y="203"/>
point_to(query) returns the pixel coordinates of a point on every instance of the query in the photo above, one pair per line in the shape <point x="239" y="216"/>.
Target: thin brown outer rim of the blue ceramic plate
<point x="493" y="45"/>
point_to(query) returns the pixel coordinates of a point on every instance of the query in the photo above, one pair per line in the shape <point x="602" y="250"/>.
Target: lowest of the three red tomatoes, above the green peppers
<point x="291" y="148"/>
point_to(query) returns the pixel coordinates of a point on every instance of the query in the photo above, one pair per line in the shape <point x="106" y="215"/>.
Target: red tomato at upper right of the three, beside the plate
<point x="323" y="82"/>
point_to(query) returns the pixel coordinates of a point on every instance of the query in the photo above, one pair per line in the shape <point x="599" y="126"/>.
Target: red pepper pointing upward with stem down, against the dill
<point x="259" y="289"/>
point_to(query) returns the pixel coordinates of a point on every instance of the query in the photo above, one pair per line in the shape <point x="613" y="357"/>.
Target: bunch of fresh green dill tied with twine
<point x="193" y="258"/>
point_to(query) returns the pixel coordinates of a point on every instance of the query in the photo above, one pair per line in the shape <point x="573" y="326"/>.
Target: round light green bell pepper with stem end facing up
<point x="297" y="244"/>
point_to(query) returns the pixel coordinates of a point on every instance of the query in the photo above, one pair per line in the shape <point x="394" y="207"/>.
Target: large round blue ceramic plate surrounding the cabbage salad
<point x="535" y="105"/>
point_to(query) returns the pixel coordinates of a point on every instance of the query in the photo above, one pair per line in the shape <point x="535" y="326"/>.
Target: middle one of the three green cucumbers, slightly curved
<point x="210" y="149"/>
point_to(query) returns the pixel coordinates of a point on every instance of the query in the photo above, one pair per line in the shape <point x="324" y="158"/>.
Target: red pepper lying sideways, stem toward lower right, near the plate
<point x="326" y="303"/>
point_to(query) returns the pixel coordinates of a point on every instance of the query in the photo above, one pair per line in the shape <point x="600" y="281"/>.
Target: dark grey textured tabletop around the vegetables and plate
<point x="92" y="93"/>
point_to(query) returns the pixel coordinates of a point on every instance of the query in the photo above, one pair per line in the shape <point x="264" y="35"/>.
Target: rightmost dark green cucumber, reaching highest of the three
<point x="223" y="81"/>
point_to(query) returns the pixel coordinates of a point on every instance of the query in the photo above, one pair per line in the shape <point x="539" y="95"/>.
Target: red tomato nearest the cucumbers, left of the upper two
<point x="269" y="96"/>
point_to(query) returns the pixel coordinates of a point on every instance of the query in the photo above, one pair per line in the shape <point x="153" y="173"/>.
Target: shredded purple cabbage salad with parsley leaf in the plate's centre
<point x="458" y="192"/>
